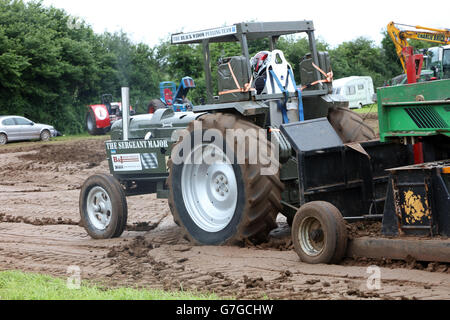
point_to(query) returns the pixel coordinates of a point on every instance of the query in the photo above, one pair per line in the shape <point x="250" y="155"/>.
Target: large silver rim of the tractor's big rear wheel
<point x="209" y="188"/>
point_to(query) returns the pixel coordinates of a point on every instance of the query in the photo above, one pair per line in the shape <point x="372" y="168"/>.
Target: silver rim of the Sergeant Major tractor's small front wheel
<point x="99" y="208"/>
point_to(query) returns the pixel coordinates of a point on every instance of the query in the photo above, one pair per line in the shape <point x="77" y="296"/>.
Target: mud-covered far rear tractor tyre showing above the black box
<point x="350" y="126"/>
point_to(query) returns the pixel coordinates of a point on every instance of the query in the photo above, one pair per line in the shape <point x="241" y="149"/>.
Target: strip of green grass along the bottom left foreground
<point x="17" y="285"/>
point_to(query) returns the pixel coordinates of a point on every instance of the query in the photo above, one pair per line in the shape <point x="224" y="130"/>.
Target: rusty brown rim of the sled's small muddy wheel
<point x="311" y="236"/>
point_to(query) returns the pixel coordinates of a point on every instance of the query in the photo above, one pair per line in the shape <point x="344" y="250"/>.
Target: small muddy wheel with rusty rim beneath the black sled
<point x="319" y="233"/>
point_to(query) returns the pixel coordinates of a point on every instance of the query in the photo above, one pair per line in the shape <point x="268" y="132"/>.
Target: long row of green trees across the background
<point x="53" y="65"/>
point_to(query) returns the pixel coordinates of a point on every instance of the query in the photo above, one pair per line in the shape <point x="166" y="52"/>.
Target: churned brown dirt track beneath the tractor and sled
<point x="39" y="189"/>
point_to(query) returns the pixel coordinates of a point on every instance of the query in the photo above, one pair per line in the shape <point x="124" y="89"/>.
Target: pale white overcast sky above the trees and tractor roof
<point x="335" y="21"/>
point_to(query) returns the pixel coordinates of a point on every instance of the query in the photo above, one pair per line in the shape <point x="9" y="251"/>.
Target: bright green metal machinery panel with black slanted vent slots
<point x="420" y="109"/>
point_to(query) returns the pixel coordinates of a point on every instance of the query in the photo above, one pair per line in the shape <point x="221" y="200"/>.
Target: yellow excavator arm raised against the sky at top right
<point x="400" y="37"/>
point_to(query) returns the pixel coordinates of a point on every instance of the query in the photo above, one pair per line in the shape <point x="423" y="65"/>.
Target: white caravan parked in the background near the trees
<point x="358" y="91"/>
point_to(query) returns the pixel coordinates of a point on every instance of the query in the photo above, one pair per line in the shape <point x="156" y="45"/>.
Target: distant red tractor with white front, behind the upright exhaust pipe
<point x="100" y="117"/>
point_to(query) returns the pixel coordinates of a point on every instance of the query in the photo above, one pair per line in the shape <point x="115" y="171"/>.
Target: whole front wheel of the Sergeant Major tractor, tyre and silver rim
<point x="103" y="207"/>
